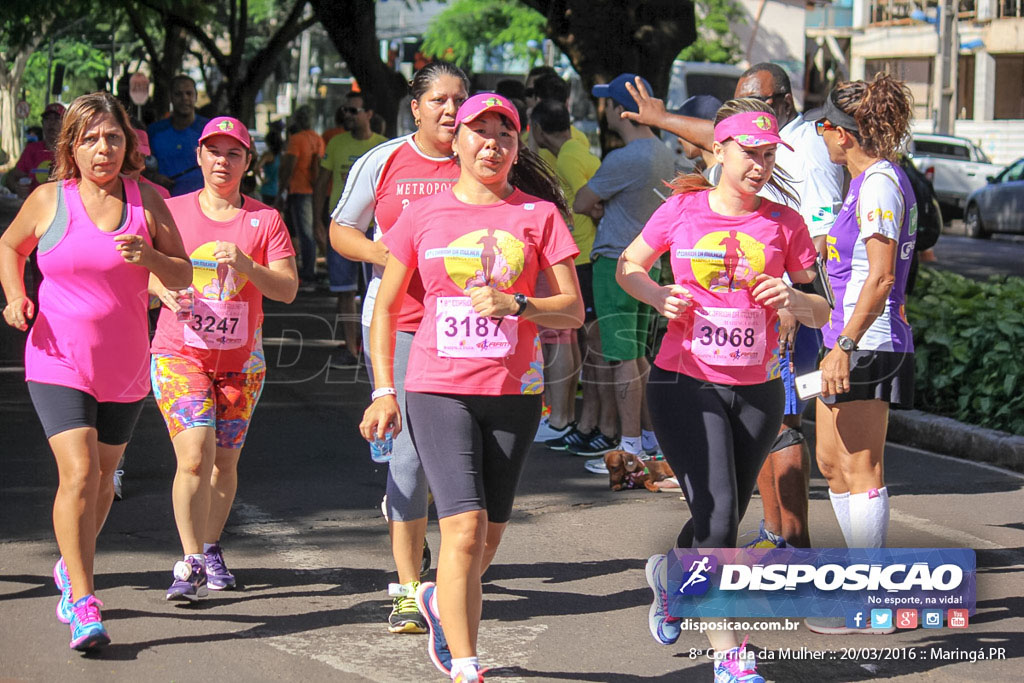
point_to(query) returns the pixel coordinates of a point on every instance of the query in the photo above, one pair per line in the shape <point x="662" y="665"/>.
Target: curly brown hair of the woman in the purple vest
<point x="882" y="110"/>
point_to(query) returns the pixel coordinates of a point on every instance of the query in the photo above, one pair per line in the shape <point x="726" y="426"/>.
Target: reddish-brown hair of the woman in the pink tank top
<point x="77" y="120"/>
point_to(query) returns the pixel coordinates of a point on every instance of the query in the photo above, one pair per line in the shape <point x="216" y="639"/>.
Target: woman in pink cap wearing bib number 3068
<point x="715" y="394"/>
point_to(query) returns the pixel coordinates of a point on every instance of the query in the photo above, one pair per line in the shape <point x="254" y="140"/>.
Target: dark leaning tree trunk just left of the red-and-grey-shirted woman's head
<point x="352" y="25"/>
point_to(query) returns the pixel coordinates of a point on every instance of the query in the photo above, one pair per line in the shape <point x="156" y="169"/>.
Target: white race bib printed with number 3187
<point x="464" y="334"/>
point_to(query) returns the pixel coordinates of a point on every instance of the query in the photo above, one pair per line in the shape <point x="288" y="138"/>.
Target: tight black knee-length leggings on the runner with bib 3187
<point x="473" y="448"/>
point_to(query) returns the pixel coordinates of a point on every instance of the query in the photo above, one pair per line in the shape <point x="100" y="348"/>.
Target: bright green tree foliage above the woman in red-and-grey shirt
<point x="471" y="25"/>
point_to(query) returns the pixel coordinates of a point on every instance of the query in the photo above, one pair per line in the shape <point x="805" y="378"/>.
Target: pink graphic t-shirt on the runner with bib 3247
<point x="228" y="314"/>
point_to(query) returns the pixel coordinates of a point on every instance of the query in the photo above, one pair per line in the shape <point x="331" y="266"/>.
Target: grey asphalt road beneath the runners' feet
<point x="567" y="600"/>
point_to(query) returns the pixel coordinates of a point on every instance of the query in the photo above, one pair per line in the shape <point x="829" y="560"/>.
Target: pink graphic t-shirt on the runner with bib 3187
<point x="457" y="247"/>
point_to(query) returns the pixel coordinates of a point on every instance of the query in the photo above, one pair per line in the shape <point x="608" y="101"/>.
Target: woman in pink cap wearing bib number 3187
<point x="475" y="378"/>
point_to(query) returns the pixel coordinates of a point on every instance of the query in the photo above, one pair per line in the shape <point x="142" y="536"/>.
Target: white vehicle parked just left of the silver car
<point x="955" y="165"/>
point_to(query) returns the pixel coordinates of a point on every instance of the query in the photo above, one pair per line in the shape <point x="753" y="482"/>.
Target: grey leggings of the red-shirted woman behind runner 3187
<point x="407" y="485"/>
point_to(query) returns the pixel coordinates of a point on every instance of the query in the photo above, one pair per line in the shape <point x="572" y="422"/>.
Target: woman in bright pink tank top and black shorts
<point x="100" y="236"/>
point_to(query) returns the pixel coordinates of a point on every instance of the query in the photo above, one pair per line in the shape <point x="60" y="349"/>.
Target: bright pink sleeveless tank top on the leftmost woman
<point x="92" y="330"/>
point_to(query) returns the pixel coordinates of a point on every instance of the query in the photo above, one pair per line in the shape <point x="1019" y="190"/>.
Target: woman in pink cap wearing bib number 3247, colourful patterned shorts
<point x="208" y="365"/>
